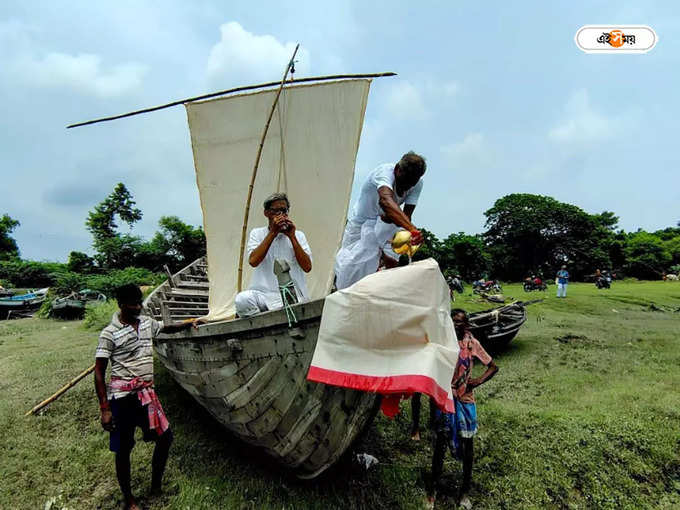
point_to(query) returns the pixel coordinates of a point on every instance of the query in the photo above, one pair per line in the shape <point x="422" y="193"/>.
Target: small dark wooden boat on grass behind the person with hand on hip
<point x="497" y="327"/>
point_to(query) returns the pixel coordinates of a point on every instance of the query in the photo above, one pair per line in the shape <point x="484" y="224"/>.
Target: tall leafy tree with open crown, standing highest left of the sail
<point x="114" y="250"/>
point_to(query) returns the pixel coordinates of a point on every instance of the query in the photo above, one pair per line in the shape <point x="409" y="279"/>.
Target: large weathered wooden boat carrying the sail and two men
<point x="250" y="374"/>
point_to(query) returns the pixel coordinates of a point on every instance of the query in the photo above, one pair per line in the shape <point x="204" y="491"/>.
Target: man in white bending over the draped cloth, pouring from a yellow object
<point x="377" y="216"/>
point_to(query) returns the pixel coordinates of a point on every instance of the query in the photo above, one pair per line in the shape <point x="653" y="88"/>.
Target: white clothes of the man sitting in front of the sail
<point x="263" y="279"/>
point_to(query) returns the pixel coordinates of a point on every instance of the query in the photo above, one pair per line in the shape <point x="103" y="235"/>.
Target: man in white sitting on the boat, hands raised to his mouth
<point x="279" y="240"/>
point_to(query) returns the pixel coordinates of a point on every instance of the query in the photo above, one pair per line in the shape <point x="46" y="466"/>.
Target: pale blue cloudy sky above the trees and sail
<point x="496" y="95"/>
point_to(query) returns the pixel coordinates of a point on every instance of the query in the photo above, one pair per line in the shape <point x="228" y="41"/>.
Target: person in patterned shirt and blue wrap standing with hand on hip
<point x="456" y="430"/>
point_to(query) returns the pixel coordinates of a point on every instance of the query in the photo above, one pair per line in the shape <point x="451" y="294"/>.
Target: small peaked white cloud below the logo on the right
<point x="582" y="124"/>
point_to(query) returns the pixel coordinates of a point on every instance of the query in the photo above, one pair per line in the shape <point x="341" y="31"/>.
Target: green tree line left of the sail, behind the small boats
<point x="119" y="258"/>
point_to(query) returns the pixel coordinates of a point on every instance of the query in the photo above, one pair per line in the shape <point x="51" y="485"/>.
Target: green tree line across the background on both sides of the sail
<point x="525" y="234"/>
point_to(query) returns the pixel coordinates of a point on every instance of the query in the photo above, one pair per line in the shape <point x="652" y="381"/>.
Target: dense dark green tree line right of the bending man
<point x="533" y="234"/>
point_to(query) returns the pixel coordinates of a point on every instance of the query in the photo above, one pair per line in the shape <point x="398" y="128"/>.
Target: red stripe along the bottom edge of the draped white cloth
<point x="386" y="385"/>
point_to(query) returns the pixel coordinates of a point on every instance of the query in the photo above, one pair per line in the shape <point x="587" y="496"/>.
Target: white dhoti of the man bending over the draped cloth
<point x="362" y="245"/>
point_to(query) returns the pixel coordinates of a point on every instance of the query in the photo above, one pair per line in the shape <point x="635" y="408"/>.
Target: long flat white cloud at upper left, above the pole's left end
<point x="83" y="72"/>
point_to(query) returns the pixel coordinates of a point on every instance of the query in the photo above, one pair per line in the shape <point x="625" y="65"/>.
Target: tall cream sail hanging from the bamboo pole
<point x="309" y="153"/>
